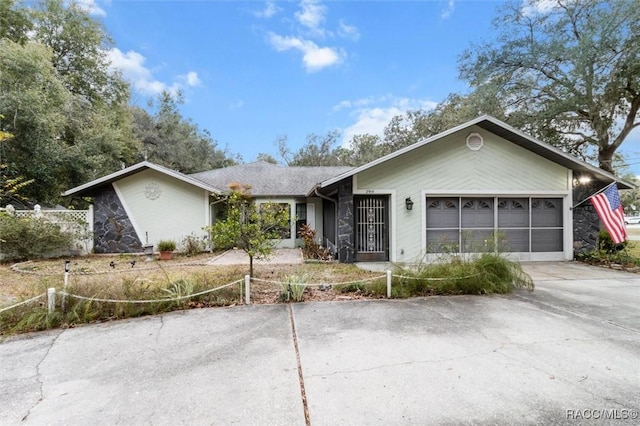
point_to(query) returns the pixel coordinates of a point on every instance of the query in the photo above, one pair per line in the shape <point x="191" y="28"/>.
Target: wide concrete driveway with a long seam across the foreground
<point x="568" y="353"/>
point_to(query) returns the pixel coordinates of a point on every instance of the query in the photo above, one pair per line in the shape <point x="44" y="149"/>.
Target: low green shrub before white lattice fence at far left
<point x="31" y="238"/>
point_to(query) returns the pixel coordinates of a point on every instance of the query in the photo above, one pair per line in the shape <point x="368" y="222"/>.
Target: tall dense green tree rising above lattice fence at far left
<point x="67" y="110"/>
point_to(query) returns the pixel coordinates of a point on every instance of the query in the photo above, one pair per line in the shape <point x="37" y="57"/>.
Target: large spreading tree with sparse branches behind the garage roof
<point x="567" y="72"/>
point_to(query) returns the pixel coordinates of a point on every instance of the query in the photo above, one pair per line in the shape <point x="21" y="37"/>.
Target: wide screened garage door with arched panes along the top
<point x="478" y="224"/>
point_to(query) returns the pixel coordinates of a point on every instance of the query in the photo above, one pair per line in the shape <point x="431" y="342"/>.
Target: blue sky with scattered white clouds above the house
<point x="253" y="71"/>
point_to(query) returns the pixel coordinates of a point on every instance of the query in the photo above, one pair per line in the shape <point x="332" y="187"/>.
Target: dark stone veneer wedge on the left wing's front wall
<point x="113" y="231"/>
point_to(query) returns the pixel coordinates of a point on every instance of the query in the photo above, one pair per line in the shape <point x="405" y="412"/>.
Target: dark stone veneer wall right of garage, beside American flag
<point x="586" y="224"/>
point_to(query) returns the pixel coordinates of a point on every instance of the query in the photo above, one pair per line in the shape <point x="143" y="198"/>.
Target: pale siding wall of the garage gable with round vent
<point x="448" y="167"/>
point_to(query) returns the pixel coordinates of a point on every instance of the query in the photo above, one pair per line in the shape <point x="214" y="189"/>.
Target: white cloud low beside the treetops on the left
<point x="133" y="68"/>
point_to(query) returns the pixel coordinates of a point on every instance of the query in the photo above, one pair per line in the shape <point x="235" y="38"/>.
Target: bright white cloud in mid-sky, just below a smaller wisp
<point x="314" y="57"/>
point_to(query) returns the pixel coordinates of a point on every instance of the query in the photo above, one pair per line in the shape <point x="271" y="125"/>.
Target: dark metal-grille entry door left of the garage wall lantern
<point x="372" y="235"/>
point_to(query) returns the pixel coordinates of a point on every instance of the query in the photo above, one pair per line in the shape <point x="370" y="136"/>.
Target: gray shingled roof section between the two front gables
<point x="268" y="179"/>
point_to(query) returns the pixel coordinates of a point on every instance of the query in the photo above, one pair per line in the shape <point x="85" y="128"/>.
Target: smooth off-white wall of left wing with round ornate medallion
<point x="186" y="206"/>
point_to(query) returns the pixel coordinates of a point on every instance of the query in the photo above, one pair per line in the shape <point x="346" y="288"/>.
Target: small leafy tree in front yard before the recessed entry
<point x="256" y="229"/>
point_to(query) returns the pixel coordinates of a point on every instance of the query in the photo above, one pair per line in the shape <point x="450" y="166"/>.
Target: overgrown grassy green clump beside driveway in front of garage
<point x="487" y="273"/>
